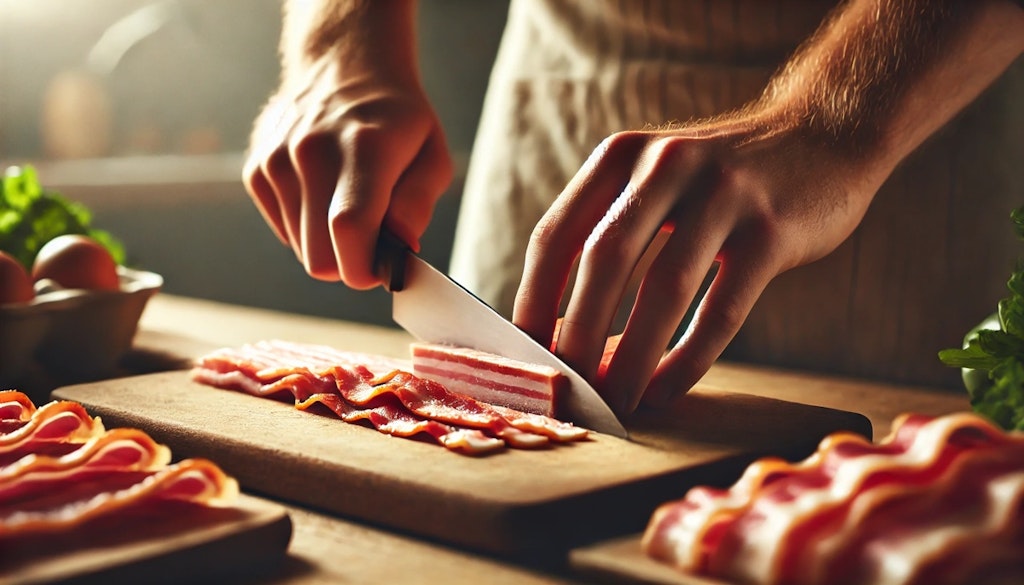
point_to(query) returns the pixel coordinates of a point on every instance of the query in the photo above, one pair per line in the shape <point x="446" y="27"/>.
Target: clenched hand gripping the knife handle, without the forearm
<point x="349" y="144"/>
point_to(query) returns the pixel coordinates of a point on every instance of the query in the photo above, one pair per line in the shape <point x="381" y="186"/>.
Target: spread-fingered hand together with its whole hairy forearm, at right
<point x="781" y="184"/>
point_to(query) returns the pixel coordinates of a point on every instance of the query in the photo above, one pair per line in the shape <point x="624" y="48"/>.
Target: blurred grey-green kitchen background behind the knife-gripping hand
<point x="142" y="110"/>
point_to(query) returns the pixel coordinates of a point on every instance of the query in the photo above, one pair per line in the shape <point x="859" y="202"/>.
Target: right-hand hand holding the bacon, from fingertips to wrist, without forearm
<point x="758" y="195"/>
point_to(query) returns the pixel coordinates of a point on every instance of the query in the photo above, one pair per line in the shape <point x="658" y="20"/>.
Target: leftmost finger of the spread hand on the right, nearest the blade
<point x="560" y="236"/>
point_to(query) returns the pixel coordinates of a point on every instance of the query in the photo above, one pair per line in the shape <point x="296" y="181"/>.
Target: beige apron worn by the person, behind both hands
<point x="930" y="260"/>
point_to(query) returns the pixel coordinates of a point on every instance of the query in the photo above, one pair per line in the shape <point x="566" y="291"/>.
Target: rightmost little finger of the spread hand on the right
<point x="741" y="280"/>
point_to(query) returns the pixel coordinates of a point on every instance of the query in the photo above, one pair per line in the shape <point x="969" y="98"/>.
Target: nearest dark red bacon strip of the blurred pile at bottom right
<point x="895" y="535"/>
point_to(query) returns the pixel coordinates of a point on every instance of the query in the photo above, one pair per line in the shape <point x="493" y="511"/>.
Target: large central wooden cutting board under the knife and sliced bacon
<point x="513" y="504"/>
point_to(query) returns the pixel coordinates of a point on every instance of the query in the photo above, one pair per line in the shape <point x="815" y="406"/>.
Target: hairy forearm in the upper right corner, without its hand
<point x="881" y="76"/>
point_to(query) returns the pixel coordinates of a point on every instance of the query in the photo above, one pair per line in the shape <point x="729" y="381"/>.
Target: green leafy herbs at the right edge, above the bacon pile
<point x="993" y="358"/>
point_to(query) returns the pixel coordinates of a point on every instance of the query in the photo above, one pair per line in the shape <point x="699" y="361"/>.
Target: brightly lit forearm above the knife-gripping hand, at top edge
<point x="358" y="35"/>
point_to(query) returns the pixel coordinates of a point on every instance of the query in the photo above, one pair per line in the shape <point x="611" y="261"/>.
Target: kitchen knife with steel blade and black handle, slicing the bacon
<point x="438" y="310"/>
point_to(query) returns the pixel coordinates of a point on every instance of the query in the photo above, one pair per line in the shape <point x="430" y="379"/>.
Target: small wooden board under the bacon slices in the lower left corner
<point x="177" y="544"/>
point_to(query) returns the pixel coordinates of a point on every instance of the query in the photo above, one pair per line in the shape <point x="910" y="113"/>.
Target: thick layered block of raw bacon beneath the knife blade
<point x="490" y="379"/>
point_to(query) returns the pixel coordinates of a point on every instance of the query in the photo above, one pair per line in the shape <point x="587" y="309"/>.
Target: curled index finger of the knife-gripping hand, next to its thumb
<point x="375" y="159"/>
